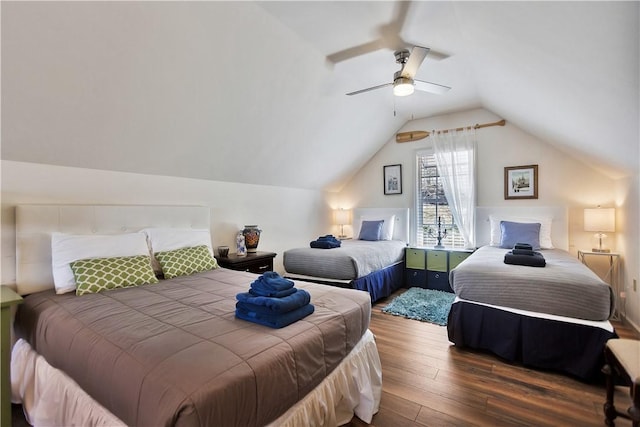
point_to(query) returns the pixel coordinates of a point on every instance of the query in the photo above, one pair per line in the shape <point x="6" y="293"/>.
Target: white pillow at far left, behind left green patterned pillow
<point x="66" y="248"/>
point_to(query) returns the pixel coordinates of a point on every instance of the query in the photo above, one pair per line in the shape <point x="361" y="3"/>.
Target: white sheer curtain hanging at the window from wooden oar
<point x="455" y="153"/>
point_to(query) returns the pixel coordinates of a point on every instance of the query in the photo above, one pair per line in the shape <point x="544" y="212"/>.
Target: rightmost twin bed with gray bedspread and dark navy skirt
<point x="553" y="317"/>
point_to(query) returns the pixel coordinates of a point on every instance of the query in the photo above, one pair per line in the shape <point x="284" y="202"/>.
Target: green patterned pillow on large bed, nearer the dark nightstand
<point x="186" y="261"/>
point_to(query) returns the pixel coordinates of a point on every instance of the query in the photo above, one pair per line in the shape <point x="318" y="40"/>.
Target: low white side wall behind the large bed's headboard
<point x="288" y="217"/>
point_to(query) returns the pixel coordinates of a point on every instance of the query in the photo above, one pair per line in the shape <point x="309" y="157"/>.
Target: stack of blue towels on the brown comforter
<point x="273" y="301"/>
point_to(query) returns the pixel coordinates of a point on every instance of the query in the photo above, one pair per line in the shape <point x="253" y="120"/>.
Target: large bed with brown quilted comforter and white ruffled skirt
<point x="173" y="353"/>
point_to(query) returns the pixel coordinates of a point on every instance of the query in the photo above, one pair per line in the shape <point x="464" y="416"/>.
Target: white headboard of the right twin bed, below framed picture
<point x="559" y="223"/>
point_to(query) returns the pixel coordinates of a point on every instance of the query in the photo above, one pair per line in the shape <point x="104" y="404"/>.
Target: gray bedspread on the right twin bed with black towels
<point x="564" y="287"/>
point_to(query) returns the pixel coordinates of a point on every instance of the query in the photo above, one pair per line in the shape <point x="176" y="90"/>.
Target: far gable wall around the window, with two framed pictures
<point x="563" y="181"/>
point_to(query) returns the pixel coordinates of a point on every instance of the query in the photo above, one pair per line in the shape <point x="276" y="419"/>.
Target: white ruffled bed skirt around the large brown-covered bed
<point x="50" y="398"/>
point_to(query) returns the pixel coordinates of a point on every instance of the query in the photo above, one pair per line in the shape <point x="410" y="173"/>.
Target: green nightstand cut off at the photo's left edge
<point x="8" y="298"/>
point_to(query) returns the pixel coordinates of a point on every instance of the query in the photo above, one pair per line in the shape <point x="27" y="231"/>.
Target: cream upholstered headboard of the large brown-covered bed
<point x="35" y="223"/>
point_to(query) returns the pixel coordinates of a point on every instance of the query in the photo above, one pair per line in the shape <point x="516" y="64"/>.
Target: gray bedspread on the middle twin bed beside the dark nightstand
<point x="354" y="259"/>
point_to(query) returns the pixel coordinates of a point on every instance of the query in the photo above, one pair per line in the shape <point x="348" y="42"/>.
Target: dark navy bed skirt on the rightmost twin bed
<point x="570" y="348"/>
